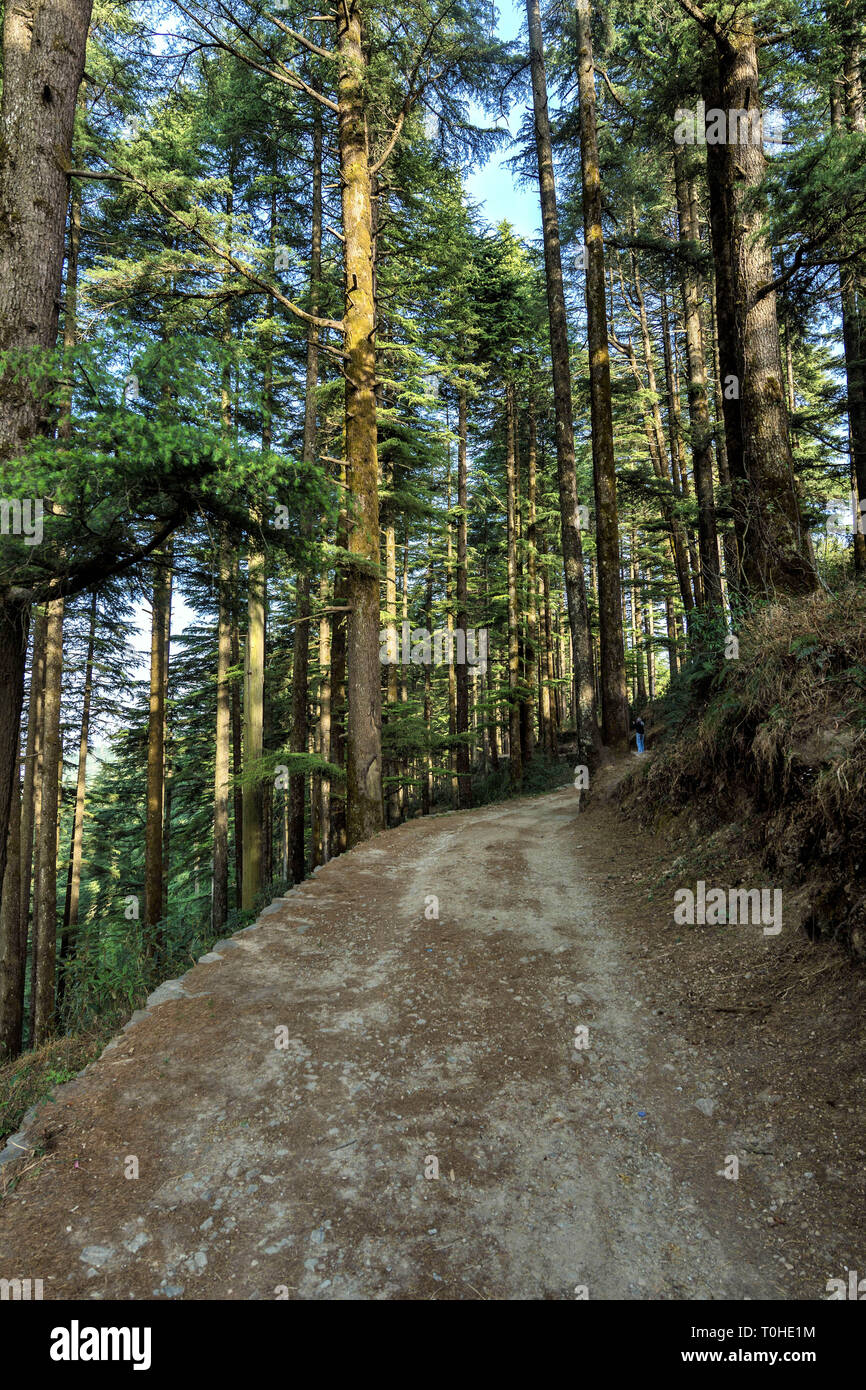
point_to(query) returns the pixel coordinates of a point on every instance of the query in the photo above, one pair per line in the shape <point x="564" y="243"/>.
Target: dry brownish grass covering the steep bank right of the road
<point x="776" y="742"/>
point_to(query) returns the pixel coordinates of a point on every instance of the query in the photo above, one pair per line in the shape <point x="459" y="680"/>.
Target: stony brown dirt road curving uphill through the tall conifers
<point x="290" y="1110"/>
